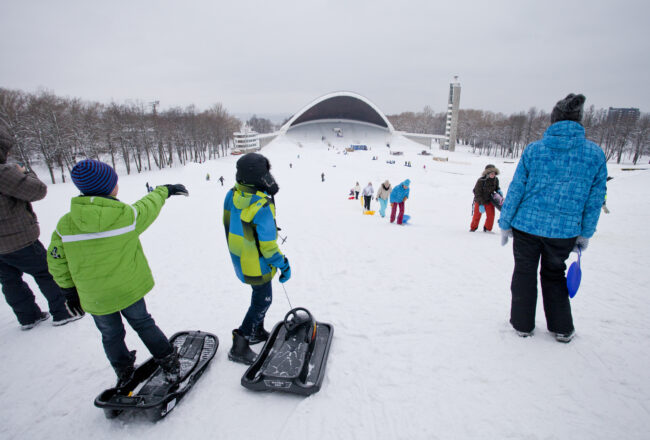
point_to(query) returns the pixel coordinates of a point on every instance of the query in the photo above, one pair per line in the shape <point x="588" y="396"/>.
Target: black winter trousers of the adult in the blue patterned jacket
<point x="528" y="249"/>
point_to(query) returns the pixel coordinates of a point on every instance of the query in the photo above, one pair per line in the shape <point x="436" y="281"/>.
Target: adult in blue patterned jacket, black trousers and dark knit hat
<point x="552" y="207"/>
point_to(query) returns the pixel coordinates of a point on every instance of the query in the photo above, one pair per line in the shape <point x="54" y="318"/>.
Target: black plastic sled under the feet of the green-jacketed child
<point x="149" y="392"/>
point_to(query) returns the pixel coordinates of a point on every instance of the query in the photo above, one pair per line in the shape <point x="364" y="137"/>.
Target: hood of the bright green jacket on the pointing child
<point x="97" y="214"/>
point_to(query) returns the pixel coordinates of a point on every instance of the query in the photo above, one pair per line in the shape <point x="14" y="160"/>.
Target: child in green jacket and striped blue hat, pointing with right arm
<point x="97" y="259"/>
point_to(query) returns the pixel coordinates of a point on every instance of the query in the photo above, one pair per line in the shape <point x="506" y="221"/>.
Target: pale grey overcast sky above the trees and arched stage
<point x="276" y="56"/>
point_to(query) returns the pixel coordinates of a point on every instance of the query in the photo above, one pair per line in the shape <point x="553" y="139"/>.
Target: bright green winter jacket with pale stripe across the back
<point x="96" y="248"/>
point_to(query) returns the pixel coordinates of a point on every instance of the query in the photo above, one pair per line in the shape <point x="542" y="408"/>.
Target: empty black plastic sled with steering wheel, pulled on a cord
<point x="294" y="357"/>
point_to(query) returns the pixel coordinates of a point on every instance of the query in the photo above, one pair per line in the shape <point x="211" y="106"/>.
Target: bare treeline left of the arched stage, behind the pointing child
<point x="60" y="131"/>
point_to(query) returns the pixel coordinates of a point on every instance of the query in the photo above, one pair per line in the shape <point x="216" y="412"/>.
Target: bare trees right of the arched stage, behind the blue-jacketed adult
<point x="507" y="135"/>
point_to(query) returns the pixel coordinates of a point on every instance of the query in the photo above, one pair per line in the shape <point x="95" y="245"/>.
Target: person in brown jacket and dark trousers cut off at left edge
<point x="20" y="249"/>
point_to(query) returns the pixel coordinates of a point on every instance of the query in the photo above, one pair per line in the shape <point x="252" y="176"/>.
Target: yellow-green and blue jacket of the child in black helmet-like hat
<point x="251" y="232"/>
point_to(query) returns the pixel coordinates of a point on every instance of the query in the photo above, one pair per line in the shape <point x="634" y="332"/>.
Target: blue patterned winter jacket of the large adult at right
<point x="559" y="185"/>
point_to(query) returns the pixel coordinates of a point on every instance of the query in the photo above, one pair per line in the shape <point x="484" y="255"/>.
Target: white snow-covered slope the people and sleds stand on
<point x="422" y="346"/>
